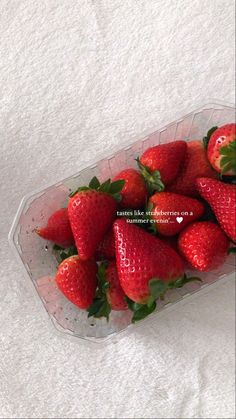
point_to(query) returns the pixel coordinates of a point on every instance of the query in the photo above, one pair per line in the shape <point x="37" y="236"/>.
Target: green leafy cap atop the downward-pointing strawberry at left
<point x="109" y="187"/>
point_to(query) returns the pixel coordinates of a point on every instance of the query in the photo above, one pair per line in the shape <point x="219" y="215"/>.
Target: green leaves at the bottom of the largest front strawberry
<point x="158" y="289"/>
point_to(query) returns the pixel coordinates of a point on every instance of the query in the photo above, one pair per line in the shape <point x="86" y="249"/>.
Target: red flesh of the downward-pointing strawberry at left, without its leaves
<point x="91" y="214"/>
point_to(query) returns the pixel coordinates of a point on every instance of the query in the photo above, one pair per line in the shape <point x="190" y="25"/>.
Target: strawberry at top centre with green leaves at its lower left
<point x="160" y="164"/>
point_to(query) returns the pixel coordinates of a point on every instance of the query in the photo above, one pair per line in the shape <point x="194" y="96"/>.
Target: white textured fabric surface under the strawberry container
<point x="77" y="78"/>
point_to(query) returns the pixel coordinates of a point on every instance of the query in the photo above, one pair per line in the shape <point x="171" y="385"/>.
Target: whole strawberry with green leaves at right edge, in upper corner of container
<point x="221" y="149"/>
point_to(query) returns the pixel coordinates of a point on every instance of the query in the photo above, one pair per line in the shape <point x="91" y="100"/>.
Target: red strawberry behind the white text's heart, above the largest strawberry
<point x="172" y="212"/>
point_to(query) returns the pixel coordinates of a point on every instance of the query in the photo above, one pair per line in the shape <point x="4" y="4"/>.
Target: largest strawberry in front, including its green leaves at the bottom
<point x="146" y="266"/>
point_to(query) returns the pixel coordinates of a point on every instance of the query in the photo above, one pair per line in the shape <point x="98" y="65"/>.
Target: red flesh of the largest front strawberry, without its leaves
<point x="141" y="257"/>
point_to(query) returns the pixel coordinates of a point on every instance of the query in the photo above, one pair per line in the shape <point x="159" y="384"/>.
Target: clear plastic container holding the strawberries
<point x="37" y="256"/>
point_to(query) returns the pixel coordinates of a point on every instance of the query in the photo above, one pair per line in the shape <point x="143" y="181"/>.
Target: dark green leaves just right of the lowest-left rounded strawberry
<point x="100" y="306"/>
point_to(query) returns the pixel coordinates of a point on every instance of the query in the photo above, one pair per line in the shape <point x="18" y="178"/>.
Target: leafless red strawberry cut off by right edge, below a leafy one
<point x="222" y="199"/>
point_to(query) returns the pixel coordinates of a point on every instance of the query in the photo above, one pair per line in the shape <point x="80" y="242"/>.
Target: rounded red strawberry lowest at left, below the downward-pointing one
<point x="77" y="280"/>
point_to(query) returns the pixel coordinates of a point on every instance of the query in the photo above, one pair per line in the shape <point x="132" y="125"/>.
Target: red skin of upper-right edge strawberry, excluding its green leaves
<point x="221" y="137"/>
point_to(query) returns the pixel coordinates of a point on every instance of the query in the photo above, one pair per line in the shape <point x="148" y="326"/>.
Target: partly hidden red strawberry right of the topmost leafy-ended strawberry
<point x="195" y="165"/>
